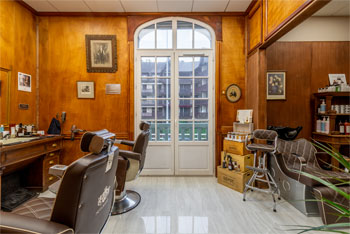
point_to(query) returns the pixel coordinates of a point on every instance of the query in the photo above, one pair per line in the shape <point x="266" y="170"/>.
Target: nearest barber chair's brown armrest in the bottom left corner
<point x="14" y="223"/>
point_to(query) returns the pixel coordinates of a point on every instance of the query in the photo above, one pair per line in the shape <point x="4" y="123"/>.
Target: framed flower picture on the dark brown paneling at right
<point x="276" y="85"/>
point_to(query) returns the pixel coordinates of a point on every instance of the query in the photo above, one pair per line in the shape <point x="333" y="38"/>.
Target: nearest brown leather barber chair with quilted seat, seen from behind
<point x="84" y="199"/>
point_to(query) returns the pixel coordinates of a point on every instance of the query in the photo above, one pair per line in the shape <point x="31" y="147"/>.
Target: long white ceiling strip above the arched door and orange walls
<point x="139" y="5"/>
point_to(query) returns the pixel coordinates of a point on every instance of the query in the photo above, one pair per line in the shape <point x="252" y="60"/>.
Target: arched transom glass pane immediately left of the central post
<point x="164" y="35"/>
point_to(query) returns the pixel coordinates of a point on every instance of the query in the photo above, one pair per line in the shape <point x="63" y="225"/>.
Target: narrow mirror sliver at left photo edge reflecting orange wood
<point x="5" y="78"/>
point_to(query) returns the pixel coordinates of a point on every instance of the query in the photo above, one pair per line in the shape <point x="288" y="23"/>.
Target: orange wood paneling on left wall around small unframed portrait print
<point x="18" y="53"/>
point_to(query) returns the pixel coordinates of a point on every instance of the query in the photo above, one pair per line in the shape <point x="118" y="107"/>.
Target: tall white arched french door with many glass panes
<point x="174" y="90"/>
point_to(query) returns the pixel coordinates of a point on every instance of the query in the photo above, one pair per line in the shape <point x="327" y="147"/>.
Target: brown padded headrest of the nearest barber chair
<point x="96" y="141"/>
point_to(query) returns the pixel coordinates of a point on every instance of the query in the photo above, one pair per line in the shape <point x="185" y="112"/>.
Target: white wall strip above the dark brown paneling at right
<point x="320" y="28"/>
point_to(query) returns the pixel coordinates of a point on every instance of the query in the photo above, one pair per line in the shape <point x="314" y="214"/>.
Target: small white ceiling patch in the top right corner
<point x="335" y="8"/>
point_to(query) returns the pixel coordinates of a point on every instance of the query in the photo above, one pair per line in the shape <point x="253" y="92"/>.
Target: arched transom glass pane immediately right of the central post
<point x="184" y="35"/>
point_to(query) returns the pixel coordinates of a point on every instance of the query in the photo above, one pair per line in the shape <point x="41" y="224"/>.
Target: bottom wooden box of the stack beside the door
<point x="232" y="179"/>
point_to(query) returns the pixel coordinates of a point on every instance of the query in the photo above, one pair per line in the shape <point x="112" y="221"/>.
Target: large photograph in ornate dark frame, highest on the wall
<point x="101" y="53"/>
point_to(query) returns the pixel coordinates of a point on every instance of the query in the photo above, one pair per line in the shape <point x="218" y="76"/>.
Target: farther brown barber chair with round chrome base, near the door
<point x="127" y="200"/>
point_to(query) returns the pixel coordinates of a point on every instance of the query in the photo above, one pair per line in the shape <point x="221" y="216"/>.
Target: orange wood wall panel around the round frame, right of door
<point x="230" y="69"/>
